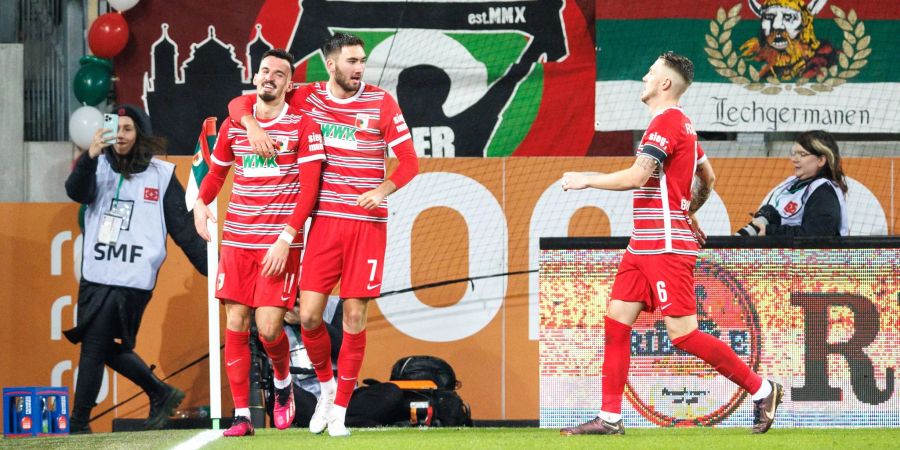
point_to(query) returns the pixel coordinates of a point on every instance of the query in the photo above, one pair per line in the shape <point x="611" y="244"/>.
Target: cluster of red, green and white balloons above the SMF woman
<point x="107" y="37"/>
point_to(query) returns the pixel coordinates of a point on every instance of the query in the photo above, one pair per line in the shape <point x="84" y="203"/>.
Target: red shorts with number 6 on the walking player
<point x="664" y="281"/>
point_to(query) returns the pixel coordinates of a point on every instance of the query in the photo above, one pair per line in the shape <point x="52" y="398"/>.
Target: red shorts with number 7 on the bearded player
<point x="351" y="251"/>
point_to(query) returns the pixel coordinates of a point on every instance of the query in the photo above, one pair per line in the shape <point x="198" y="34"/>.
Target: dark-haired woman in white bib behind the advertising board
<point x="810" y="202"/>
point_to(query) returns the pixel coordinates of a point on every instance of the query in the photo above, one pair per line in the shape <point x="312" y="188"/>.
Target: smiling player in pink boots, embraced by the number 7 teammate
<point x="263" y="234"/>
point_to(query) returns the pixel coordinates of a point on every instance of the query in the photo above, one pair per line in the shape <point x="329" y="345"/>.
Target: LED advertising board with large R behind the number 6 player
<point x="820" y="316"/>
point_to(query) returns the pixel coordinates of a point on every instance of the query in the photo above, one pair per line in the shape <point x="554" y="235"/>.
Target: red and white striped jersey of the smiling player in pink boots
<point x="265" y="190"/>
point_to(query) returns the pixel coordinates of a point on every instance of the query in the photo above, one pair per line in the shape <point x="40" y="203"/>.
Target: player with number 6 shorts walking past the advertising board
<point x="657" y="270"/>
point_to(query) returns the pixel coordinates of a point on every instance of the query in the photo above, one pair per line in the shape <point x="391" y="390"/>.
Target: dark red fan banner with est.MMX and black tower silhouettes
<point x="473" y="78"/>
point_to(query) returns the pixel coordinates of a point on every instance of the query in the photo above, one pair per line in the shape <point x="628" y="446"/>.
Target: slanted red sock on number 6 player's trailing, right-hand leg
<point x="719" y="355"/>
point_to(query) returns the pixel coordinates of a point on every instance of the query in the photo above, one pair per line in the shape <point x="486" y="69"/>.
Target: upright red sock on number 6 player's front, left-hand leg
<point x="616" y="360"/>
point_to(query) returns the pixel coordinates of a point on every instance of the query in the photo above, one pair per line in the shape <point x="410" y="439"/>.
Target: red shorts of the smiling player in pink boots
<point x="240" y="279"/>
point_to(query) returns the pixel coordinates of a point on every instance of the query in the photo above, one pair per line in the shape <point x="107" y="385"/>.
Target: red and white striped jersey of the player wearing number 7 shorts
<point x="357" y="132"/>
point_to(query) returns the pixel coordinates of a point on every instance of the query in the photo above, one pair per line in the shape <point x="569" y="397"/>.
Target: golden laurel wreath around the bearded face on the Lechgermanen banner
<point x="729" y="64"/>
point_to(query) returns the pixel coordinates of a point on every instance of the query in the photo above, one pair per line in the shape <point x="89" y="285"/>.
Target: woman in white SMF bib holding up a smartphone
<point x="131" y="202"/>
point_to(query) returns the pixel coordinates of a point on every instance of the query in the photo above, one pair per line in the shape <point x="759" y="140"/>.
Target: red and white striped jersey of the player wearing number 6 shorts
<point x="661" y="205"/>
